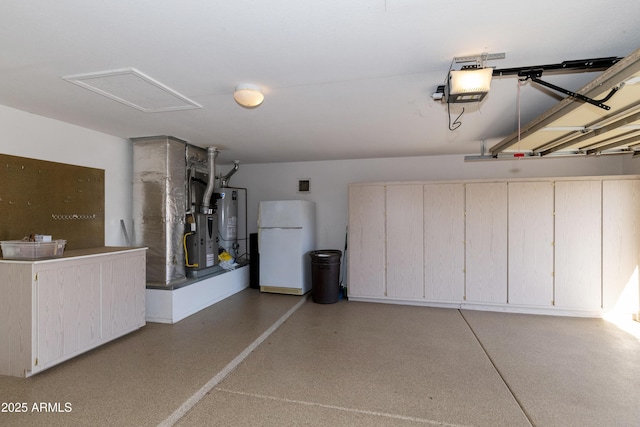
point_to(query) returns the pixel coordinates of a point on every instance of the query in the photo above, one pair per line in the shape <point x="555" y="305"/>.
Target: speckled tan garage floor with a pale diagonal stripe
<point x="241" y="363"/>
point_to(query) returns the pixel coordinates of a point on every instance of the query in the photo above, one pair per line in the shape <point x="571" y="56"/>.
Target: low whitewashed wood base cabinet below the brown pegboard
<point x="53" y="310"/>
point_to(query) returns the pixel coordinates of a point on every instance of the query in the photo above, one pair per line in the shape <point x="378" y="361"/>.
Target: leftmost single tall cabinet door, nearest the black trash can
<point x="366" y="240"/>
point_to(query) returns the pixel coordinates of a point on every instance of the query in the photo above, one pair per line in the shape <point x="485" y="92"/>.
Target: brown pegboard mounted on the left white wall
<point x="57" y="199"/>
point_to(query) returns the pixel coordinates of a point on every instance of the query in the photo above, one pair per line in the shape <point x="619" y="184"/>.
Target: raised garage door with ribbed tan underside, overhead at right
<point x="576" y="127"/>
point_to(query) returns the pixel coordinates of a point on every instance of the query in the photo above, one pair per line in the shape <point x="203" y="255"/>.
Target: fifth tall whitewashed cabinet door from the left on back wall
<point x="530" y="276"/>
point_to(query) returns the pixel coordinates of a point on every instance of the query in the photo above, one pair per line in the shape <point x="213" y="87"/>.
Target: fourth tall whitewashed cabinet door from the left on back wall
<point x="486" y="242"/>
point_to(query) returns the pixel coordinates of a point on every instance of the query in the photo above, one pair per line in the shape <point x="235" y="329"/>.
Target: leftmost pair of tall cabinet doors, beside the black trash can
<point x="385" y="241"/>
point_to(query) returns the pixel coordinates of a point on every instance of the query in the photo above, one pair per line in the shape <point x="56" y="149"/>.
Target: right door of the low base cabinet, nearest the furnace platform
<point x="123" y="293"/>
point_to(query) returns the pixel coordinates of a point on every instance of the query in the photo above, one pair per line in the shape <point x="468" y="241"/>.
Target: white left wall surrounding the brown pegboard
<point x="27" y="135"/>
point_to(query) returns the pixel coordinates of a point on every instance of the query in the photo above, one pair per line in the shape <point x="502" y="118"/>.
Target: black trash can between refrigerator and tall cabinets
<point x="325" y="275"/>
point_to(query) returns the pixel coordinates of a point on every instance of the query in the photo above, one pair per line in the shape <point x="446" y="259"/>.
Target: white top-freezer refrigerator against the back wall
<point x="286" y="235"/>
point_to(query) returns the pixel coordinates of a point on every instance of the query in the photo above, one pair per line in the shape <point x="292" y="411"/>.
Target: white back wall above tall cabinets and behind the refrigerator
<point x="329" y="180"/>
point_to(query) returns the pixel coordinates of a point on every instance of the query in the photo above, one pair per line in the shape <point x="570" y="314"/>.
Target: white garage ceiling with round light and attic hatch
<point x="342" y="79"/>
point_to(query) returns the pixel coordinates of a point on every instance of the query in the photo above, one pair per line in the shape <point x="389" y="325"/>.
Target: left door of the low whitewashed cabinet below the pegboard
<point x="68" y="310"/>
